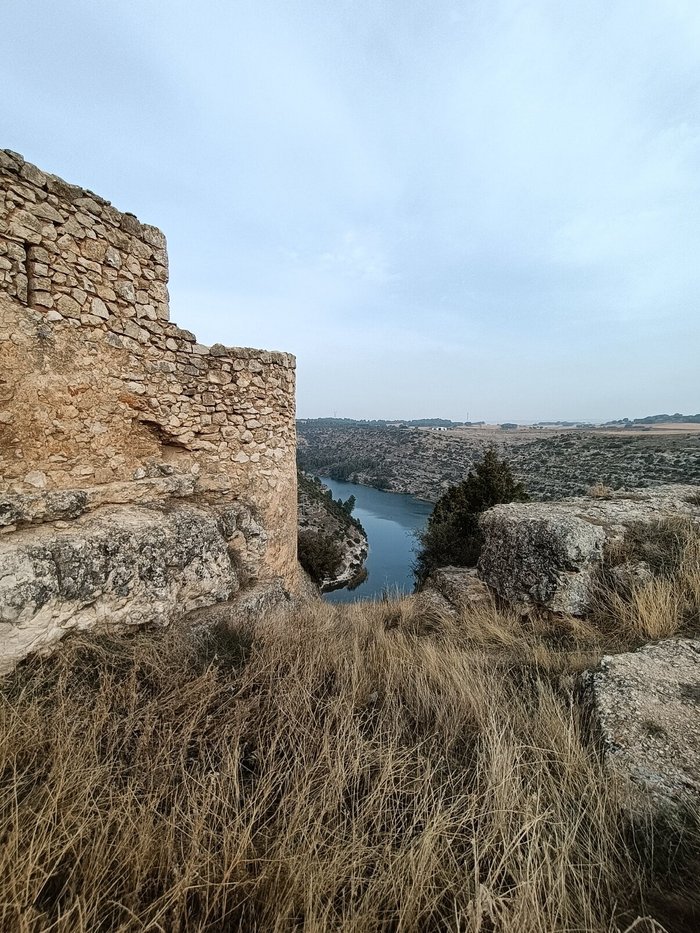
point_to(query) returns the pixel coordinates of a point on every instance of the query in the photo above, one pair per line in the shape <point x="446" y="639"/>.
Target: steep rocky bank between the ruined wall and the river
<point x="318" y="512"/>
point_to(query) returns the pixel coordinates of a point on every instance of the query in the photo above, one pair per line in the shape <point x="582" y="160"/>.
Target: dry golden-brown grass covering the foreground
<point x="366" y="767"/>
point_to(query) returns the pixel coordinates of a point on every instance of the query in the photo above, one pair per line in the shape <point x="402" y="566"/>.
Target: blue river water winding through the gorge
<point x="390" y="521"/>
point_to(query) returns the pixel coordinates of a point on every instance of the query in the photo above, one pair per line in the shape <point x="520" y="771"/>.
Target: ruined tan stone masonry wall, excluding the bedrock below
<point x="101" y="393"/>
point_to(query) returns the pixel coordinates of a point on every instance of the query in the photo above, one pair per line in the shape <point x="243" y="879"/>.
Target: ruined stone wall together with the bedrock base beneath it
<point x="118" y="431"/>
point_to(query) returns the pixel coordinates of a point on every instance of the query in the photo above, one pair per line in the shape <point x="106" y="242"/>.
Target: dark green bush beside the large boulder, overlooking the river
<point x="453" y="536"/>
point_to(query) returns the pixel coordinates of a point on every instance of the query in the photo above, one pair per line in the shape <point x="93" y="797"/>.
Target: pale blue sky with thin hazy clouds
<point x="468" y="209"/>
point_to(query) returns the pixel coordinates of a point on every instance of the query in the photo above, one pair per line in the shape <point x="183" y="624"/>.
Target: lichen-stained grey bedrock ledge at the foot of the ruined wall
<point x="121" y="565"/>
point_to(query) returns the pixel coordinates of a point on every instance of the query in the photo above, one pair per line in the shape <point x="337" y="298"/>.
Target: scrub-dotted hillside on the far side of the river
<point x="424" y="462"/>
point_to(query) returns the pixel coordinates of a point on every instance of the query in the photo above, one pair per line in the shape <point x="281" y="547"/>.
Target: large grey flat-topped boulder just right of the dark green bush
<point x="548" y="555"/>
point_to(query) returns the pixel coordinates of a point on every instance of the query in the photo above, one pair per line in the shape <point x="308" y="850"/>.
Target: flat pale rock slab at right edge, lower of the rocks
<point x="646" y="709"/>
